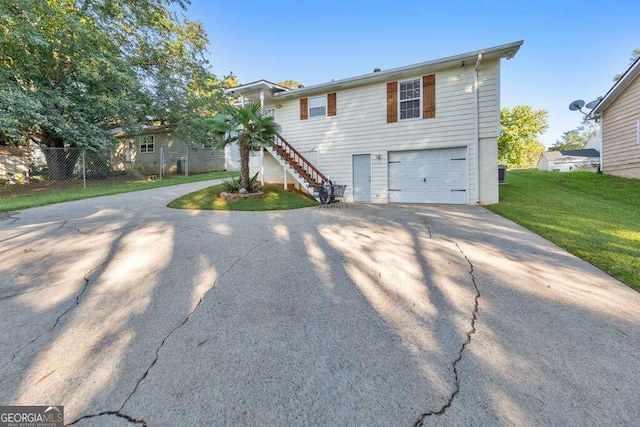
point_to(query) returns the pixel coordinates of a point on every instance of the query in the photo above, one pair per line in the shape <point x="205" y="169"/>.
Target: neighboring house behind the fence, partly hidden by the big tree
<point x="145" y="153"/>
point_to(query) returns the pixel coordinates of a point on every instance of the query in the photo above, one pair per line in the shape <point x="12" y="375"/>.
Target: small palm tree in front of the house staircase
<point x="247" y="126"/>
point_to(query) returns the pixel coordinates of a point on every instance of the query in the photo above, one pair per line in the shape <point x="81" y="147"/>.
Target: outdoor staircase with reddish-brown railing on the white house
<point x="299" y="167"/>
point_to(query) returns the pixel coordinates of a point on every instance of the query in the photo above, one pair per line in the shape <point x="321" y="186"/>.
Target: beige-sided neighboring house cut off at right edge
<point x="619" y="114"/>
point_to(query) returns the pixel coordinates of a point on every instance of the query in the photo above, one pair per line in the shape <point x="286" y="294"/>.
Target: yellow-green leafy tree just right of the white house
<point x="518" y="144"/>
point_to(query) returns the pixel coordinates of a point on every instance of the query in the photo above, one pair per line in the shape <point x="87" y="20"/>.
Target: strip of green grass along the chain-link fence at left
<point x="46" y="196"/>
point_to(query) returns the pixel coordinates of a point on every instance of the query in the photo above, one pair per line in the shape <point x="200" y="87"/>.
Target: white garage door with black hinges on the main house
<point x="428" y="176"/>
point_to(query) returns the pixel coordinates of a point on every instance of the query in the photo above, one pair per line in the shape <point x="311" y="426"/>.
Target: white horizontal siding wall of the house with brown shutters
<point x="360" y="127"/>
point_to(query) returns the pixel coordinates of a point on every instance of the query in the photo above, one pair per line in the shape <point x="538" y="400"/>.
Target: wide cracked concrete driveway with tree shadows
<point x="125" y="311"/>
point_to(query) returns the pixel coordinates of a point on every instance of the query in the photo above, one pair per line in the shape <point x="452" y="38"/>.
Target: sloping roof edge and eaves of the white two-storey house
<point x="503" y="51"/>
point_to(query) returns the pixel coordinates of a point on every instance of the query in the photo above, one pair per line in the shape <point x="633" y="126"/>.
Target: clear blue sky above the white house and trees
<point x="571" y="50"/>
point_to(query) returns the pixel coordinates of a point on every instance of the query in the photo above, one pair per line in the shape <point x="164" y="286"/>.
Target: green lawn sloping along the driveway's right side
<point x="595" y="217"/>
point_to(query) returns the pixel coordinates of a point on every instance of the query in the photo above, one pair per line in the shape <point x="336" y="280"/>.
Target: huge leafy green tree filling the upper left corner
<point x="72" y="70"/>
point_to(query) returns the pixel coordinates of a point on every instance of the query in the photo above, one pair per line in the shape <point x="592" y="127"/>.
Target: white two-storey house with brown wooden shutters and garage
<point x="423" y="133"/>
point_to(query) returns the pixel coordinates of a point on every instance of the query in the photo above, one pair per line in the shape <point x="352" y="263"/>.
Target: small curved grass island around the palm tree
<point x="274" y="199"/>
